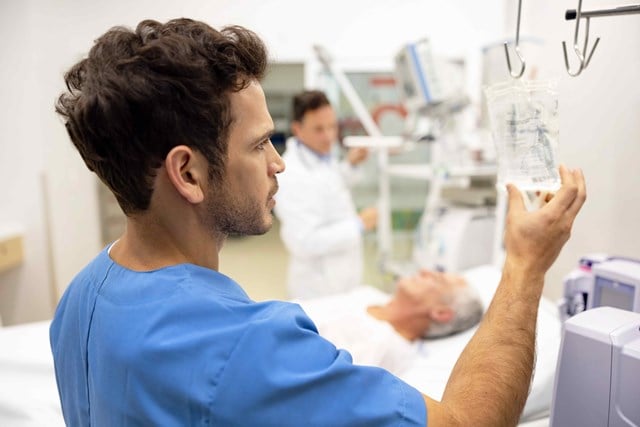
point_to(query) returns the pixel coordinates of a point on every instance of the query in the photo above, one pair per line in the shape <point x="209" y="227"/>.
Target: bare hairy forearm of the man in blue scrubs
<point x="490" y="382"/>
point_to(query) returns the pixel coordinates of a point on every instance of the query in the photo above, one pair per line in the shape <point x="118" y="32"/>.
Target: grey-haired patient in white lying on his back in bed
<point x="379" y="329"/>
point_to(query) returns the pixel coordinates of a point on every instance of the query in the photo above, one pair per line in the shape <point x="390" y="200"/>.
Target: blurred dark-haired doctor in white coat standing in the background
<point x="320" y="226"/>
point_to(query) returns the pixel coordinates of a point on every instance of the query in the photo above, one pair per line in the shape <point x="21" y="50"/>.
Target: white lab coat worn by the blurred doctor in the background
<point x="320" y="226"/>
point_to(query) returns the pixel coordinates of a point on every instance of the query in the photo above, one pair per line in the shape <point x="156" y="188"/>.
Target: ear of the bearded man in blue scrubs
<point x="187" y="171"/>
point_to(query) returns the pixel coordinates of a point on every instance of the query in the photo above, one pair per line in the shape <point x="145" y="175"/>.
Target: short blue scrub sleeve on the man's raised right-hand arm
<point x="282" y="373"/>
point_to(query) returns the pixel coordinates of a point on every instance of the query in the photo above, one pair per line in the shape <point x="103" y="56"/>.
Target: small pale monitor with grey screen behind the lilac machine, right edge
<point x="617" y="284"/>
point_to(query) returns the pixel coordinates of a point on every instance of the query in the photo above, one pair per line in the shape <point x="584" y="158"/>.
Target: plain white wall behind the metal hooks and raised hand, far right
<point x="600" y="125"/>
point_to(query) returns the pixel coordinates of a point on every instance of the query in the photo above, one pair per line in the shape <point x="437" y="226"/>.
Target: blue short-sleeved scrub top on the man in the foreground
<point x="184" y="345"/>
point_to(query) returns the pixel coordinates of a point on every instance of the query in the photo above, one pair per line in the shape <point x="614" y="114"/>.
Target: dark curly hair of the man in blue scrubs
<point x="140" y="93"/>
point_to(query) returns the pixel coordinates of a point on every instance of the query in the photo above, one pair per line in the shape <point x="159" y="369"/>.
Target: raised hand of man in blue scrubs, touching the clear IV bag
<point x="534" y="239"/>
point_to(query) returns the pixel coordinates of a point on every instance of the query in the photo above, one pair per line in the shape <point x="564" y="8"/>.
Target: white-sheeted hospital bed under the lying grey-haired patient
<point x="29" y="398"/>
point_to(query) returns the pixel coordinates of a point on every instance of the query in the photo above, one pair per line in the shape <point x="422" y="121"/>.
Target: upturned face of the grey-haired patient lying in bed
<point x="429" y="288"/>
